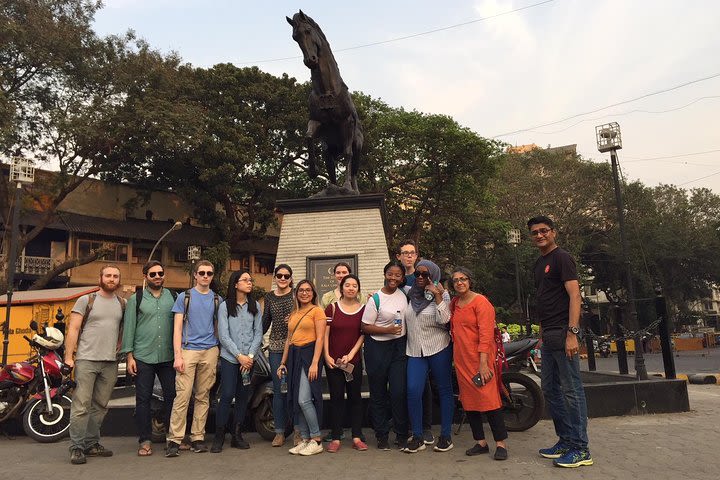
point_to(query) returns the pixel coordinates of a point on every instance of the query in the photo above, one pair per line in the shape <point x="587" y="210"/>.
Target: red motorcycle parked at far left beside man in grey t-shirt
<point x="36" y="390"/>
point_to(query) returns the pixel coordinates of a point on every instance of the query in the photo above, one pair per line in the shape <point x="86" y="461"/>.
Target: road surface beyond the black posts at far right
<point x="687" y="362"/>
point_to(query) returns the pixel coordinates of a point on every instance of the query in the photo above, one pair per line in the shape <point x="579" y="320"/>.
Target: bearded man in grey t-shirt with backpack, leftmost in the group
<point x="94" y="359"/>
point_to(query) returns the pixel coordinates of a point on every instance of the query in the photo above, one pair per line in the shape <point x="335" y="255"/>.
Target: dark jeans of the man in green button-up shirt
<point x="144" y="382"/>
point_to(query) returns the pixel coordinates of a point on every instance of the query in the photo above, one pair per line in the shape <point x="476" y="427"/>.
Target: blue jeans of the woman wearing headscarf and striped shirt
<point x="440" y="367"/>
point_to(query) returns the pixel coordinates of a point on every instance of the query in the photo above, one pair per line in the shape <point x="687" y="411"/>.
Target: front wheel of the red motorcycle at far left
<point x="47" y="427"/>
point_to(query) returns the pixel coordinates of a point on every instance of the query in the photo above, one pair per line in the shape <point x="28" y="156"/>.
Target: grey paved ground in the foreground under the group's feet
<point x="652" y="447"/>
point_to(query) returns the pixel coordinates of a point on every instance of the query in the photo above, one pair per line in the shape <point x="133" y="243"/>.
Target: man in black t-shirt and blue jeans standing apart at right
<point x="558" y="309"/>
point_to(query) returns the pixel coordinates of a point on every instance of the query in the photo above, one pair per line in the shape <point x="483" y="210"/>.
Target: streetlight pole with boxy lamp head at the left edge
<point x="21" y="171"/>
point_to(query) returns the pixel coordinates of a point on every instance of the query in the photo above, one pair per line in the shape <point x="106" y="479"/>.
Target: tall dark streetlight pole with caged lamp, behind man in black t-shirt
<point x="609" y="139"/>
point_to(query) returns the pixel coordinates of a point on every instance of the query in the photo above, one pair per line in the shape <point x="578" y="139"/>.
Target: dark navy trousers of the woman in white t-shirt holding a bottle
<point x="386" y="365"/>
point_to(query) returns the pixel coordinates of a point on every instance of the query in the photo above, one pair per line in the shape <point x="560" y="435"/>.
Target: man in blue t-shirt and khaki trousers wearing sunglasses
<point x="195" y="347"/>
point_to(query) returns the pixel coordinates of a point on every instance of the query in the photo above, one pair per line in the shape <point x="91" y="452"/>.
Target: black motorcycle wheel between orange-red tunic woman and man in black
<point x="526" y="404"/>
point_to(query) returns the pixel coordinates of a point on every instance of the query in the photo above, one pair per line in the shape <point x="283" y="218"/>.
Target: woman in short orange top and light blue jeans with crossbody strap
<point x="302" y="354"/>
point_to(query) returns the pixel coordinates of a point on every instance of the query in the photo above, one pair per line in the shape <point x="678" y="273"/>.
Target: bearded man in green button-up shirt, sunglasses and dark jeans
<point x="147" y="340"/>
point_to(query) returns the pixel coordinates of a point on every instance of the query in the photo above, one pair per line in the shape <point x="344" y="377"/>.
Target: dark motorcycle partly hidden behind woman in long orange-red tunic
<point x="523" y="403"/>
